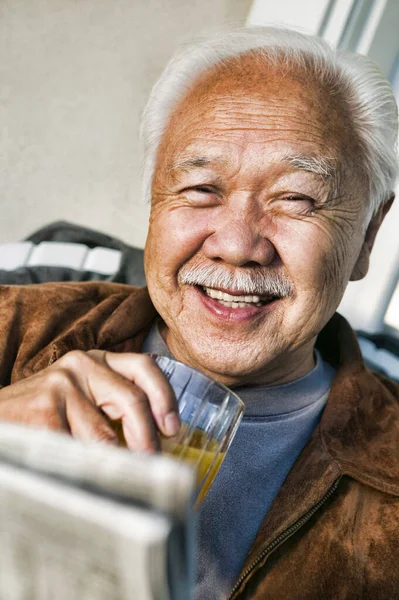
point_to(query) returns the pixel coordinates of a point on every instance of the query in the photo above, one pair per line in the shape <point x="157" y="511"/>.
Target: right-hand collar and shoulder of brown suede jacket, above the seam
<point x="359" y="426"/>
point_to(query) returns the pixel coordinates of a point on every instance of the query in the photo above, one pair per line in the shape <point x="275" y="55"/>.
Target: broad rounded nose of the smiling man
<point x="237" y="239"/>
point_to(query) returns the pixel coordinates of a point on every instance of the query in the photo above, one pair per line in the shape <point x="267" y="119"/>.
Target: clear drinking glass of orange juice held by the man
<point x="210" y="414"/>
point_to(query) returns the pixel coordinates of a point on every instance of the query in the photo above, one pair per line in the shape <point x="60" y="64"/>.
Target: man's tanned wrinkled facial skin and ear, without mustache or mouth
<point x="240" y="204"/>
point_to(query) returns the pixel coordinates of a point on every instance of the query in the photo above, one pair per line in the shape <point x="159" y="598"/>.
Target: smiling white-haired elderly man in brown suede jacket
<point x="270" y="162"/>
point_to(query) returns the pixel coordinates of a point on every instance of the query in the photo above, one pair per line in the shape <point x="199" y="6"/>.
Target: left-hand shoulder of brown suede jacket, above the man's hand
<point x="39" y="322"/>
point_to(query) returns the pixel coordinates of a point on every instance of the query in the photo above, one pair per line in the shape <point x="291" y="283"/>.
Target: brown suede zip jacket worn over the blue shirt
<point x="333" y="530"/>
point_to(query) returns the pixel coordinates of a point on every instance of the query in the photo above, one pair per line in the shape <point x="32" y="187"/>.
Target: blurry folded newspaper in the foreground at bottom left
<point x="83" y="521"/>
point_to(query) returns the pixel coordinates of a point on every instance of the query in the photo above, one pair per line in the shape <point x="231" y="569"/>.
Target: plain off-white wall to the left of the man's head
<point x="74" y="76"/>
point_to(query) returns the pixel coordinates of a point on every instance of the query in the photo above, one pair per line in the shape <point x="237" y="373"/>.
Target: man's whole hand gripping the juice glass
<point x="77" y="392"/>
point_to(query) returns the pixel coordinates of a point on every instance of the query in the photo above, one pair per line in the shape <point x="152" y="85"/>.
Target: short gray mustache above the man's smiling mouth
<point x="254" y="280"/>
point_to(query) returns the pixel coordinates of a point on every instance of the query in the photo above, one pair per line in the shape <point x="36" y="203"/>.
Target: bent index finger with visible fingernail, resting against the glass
<point x="146" y="375"/>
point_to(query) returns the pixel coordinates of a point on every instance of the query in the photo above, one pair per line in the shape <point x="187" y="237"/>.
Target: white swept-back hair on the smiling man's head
<point x="357" y="79"/>
